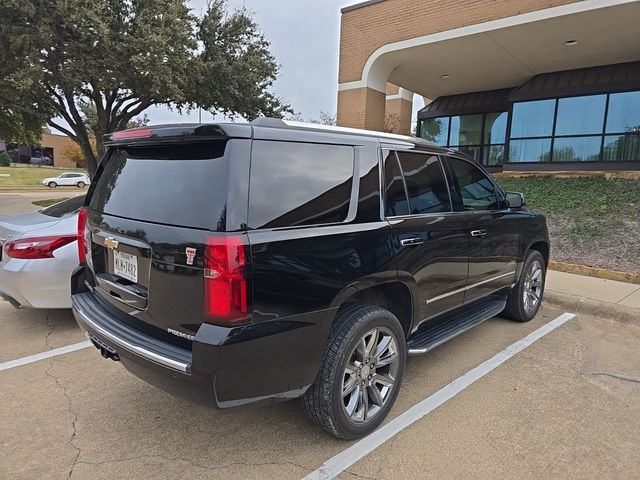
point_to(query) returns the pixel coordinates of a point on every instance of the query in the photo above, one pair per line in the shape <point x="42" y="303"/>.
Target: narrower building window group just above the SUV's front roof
<point x="481" y="136"/>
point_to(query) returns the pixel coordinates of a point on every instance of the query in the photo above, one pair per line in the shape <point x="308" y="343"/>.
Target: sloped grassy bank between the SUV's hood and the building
<point x="592" y="220"/>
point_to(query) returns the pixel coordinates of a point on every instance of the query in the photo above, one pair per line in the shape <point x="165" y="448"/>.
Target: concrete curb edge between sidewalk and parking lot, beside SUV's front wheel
<point x="588" y="306"/>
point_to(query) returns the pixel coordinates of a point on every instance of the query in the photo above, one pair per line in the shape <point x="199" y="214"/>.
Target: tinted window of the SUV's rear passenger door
<point x="426" y="188"/>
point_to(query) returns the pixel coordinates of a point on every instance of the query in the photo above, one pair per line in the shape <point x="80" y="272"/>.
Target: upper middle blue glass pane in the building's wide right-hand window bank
<point x="580" y="115"/>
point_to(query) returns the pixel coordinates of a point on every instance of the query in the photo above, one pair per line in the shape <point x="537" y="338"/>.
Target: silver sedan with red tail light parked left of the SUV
<point x="38" y="252"/>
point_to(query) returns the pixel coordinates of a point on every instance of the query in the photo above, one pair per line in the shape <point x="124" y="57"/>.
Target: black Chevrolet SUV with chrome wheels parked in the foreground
<point x="236" y="263"/>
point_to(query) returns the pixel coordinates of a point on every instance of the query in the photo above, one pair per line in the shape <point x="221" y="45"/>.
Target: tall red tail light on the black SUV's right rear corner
<point x="225" y="282"/>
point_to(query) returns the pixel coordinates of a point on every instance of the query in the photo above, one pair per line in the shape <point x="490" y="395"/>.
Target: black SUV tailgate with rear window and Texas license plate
<point x="151" y="211"/>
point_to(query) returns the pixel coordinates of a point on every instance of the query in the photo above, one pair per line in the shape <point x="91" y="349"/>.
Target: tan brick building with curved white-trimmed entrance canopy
<point x="517" y="84"/>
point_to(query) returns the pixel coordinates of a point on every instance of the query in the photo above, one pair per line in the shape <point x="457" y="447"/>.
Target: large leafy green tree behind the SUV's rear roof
<point x="60" y="57"/>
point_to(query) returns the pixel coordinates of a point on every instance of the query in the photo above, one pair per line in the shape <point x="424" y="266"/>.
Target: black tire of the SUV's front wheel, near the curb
<point x="517" y="308"/>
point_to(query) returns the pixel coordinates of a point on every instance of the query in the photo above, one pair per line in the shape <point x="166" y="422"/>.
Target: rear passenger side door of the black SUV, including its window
<point x="430" y="239"/>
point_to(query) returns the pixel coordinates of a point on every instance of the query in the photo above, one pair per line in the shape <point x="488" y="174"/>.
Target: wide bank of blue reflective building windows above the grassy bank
<point x="586" y="128"/>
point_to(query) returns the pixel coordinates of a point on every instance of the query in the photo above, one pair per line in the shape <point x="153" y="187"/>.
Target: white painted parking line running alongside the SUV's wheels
<point x="339" y="463"/>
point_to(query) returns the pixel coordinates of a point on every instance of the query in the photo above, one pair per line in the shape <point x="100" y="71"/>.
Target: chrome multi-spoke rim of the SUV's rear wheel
<point x="370" y="375"/>
